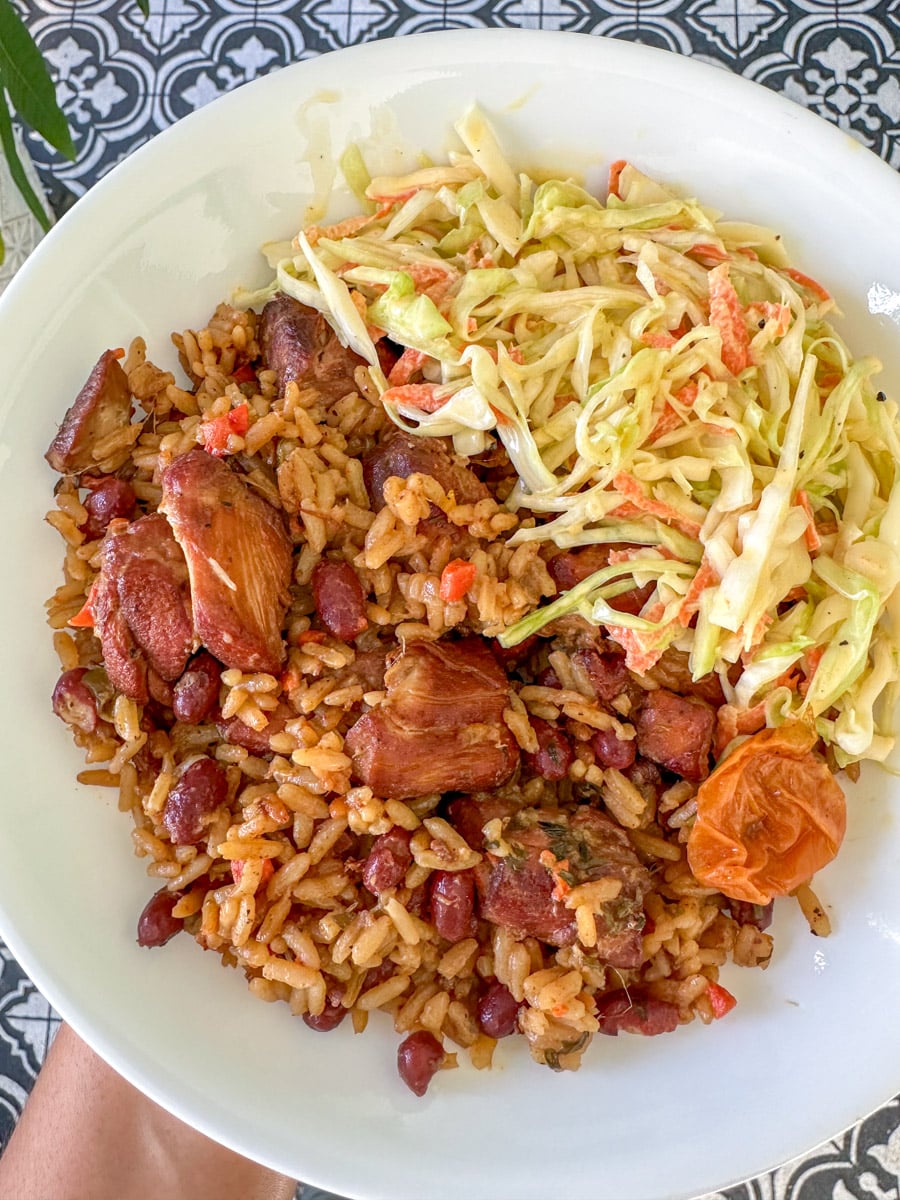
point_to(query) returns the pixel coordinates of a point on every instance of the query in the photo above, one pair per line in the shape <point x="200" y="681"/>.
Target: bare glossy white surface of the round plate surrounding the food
<point x="814" y="1043"/>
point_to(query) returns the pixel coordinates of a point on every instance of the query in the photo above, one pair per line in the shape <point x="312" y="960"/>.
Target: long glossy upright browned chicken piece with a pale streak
<point x="238" y="555"/>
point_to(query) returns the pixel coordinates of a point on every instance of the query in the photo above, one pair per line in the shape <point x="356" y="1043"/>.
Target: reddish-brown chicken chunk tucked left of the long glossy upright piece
<point x="142" y="605"/>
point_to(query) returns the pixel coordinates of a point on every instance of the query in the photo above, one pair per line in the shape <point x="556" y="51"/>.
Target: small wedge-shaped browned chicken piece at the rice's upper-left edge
<point x="101" y="407"/>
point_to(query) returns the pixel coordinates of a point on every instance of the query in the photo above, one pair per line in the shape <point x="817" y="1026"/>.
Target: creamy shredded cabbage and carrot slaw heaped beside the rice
<point x="661" y="379"/>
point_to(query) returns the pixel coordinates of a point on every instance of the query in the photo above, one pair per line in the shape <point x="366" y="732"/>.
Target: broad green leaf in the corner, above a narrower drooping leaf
<point x="29" y="83"/>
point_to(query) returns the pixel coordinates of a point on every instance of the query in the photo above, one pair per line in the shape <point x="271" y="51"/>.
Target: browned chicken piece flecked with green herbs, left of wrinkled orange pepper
<point x="520" y="891"/>
